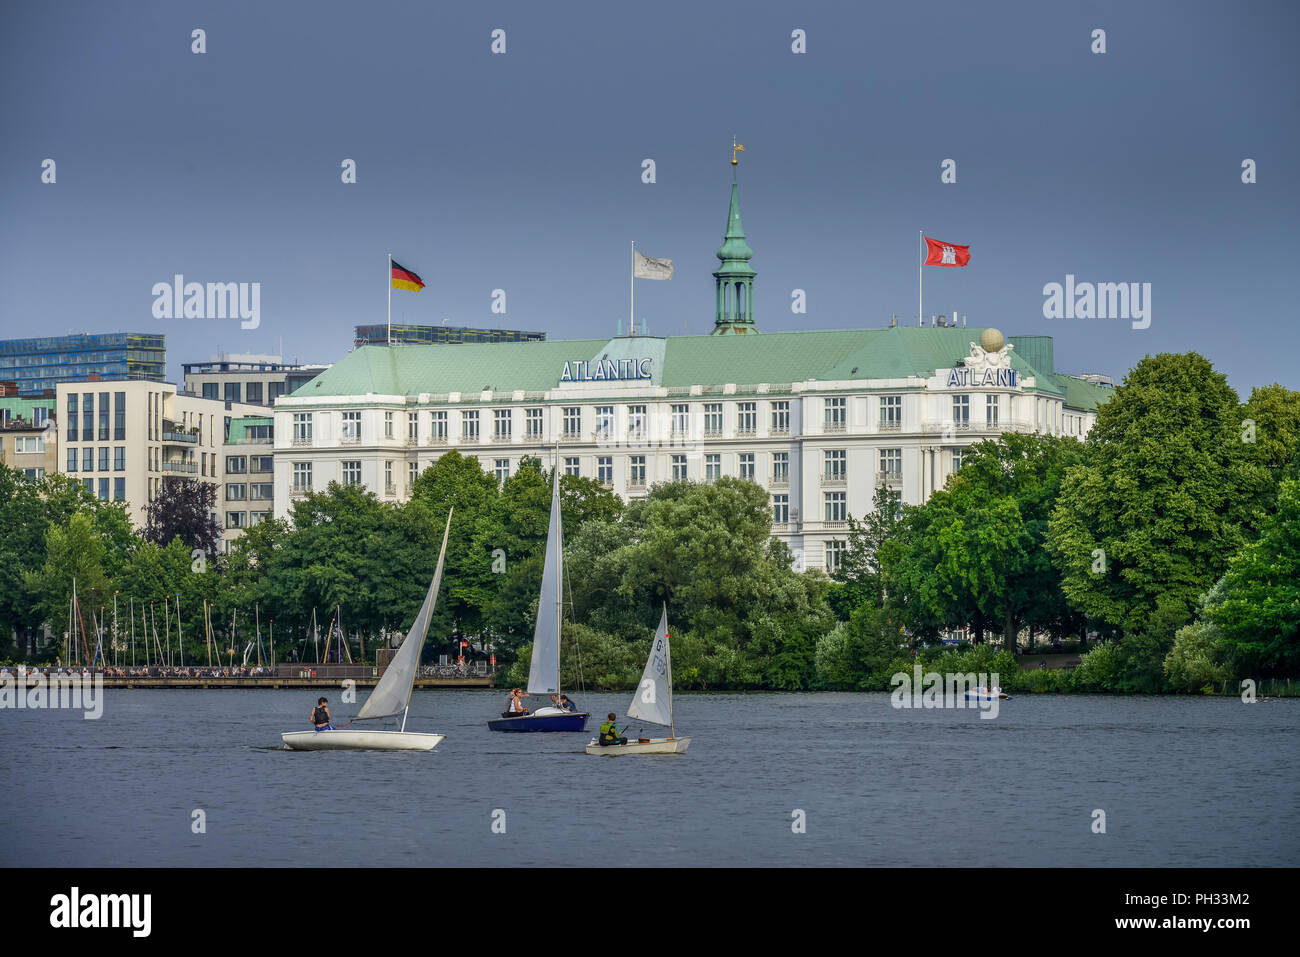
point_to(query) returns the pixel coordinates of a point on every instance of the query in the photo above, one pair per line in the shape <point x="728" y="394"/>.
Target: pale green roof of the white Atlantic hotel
<point x="679" y="361"/>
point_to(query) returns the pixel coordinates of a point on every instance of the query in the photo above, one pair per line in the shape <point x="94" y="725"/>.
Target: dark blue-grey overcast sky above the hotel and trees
<point x="523" y="171"/>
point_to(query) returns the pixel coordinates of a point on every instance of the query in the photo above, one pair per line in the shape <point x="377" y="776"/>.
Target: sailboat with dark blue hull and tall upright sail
<point x="544" y="674"/>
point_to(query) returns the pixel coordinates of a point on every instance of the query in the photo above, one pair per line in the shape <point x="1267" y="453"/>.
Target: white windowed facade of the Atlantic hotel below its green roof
<point x="821" y="449"/>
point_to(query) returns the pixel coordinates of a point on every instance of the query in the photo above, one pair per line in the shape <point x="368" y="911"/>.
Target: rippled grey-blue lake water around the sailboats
<point x="1201" y="782"/>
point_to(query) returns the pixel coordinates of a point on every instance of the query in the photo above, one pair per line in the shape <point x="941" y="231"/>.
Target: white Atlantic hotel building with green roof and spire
<point x="818" y="419"/>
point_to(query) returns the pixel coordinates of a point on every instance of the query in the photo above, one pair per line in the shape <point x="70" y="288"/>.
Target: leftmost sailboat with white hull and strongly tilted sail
<point x="392" y="695"/>
